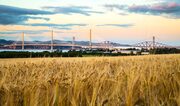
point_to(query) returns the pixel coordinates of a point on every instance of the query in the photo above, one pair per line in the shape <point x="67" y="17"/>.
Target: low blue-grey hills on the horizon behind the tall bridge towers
<point x="85" y="43"/>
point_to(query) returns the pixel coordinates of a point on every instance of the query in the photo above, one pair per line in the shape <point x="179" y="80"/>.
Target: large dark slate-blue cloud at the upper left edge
<point x="15" y="15"/>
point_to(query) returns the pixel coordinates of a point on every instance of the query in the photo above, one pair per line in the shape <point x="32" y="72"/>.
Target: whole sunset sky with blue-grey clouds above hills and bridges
<point x="121" y="21"/>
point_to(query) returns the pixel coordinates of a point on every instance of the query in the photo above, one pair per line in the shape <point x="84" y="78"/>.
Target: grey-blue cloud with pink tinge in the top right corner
<point x="166" y="9"/>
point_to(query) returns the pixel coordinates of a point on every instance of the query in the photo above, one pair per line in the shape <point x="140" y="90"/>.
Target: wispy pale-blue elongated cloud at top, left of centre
<point x="69" y="10"/>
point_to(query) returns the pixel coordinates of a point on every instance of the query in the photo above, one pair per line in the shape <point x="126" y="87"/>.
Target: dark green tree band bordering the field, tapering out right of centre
<point x="8" y="54"/>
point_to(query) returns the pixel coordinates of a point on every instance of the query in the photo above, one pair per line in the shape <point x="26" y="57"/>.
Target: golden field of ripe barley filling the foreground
<point x="152" y="80"/>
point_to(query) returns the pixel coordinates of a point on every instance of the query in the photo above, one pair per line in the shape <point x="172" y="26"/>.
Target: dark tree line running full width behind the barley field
<point x="72" y="53"/>
